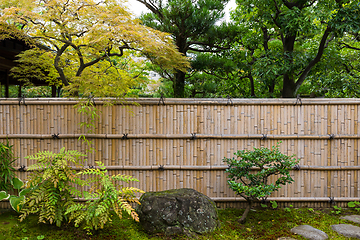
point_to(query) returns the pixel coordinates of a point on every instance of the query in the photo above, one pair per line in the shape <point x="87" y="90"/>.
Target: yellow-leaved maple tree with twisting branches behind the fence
<point x="88" y="43"/>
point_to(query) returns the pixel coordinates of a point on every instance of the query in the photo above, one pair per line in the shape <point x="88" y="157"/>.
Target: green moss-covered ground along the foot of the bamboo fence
<point x="260" y="224"/>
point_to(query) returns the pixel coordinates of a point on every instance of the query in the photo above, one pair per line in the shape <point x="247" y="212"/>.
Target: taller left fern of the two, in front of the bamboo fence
<point x="51" y="185"/>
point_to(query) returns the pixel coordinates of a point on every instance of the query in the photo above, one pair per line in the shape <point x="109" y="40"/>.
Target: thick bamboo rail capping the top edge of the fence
<point x="184" y="101"/>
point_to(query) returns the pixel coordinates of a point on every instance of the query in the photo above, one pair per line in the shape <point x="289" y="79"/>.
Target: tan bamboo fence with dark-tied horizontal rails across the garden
<point x="181" y="143"/>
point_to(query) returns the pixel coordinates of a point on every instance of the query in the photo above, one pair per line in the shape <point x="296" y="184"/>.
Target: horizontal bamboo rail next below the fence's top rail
<point x="179" y="136"/>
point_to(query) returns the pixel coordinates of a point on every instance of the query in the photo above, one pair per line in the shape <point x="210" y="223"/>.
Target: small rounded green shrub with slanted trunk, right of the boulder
<point x="249" y="172"/>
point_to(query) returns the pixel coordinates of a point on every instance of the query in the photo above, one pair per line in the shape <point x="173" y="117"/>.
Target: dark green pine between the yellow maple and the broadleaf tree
<point x="193" y="26"/>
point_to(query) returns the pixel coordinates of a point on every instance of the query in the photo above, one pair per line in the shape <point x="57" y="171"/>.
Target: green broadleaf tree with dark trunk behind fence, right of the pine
<point x="287" y="48"/>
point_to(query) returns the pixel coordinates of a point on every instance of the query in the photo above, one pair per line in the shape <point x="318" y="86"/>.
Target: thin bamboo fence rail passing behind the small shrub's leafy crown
<point x="215" y="168"/>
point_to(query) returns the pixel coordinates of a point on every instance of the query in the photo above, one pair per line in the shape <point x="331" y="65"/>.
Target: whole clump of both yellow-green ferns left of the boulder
<point x="52" y="192"/>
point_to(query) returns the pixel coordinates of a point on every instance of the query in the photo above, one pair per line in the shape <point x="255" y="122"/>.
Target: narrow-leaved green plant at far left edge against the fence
<point x="6" y="169"/>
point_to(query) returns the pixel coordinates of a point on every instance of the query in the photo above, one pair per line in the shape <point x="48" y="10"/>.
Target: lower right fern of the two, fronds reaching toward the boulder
<point x="103" y="197"/>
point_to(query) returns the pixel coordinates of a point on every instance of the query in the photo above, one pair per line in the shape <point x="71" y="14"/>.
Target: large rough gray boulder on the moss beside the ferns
<point x="177" y="211"/>
